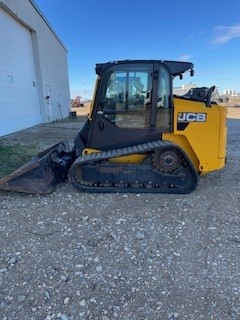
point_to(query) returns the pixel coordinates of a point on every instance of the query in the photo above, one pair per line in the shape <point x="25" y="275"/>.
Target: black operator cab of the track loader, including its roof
<point x="134" y="102"/>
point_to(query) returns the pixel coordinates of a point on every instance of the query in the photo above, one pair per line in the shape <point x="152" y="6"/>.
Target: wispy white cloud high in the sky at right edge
<point x="224" y="34"/>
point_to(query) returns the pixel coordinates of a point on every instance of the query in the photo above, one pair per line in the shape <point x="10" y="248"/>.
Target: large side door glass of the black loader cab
<point x="128" y="97"/>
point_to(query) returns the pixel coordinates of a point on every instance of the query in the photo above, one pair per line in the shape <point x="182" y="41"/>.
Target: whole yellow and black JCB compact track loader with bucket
<point x="138" y="137"/>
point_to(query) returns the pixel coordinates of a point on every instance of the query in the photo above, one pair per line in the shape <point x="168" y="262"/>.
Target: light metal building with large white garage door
<point x="34" y="84"/>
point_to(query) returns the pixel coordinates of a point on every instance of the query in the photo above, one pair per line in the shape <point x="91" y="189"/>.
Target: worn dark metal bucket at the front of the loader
<point x="43" y="172"/>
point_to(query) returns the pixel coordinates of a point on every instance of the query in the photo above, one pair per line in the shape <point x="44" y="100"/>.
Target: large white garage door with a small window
<point x="19" y="102"/>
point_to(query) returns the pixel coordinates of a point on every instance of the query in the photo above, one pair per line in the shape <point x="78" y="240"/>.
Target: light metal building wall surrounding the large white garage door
<point x="50" y="57"/>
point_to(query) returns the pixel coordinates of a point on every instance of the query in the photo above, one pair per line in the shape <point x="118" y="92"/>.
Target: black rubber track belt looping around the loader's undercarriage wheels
<point x="143" y="148"/>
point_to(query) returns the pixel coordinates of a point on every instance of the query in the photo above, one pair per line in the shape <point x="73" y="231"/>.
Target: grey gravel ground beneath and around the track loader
<point x="70" y="255"/>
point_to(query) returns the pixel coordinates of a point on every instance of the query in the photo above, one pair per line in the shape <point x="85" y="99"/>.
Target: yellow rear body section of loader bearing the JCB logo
<point x="204" y="137"/>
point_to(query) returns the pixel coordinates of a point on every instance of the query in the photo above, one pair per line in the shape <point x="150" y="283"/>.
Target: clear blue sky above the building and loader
<point x="206" y="33"/>
